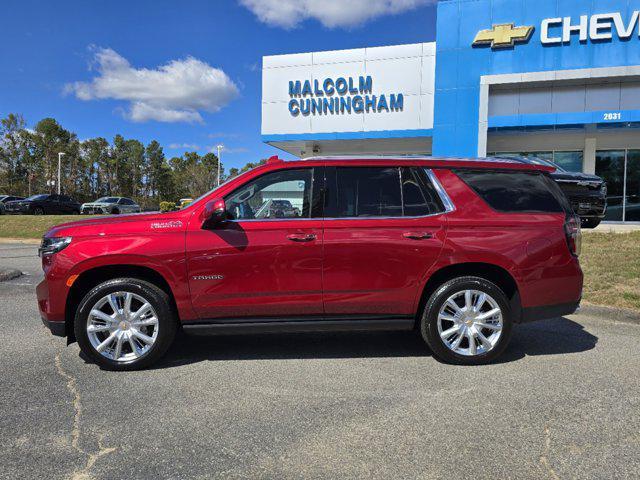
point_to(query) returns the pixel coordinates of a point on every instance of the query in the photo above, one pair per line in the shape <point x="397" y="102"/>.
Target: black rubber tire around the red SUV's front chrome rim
<point x="159" y="300"/>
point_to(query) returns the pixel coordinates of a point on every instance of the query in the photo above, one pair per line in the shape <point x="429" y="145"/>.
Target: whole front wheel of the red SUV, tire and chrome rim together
<point x="125" y="324"/>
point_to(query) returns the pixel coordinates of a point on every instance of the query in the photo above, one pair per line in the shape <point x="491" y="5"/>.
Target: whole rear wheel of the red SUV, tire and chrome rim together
<point x="467" y="321"/>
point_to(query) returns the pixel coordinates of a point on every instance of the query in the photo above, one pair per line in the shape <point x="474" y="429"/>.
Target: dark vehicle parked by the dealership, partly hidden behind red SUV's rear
<point x="586" y="193"/>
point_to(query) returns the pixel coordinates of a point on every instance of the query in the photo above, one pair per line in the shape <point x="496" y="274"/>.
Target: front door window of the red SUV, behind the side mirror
<point x="276" y="195"/>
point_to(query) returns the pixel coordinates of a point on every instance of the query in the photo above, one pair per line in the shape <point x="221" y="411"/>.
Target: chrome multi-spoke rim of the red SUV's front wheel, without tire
<point x="122" y="326"/>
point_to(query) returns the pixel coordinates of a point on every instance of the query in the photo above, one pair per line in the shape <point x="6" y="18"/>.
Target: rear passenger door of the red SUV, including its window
<point x="384" y="228"/>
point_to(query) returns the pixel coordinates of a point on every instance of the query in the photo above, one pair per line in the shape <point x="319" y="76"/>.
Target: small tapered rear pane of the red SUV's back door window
<point x="419" y="196"/>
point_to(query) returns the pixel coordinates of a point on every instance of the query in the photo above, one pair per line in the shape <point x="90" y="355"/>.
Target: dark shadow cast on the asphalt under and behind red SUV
<point x="549" y="337"/>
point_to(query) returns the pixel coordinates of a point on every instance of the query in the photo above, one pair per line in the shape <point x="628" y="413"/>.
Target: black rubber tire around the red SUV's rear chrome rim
<point x="429" y="320"/>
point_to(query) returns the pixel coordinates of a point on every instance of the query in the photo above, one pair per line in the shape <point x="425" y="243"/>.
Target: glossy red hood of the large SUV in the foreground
<point x="137" y="223"/>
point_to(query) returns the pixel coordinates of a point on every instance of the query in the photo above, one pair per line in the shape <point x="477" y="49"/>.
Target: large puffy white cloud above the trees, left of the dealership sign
<point x="175" y="92"/>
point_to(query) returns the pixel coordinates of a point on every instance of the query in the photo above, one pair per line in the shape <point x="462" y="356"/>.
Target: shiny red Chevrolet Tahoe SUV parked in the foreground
<point x="460" y="250"/>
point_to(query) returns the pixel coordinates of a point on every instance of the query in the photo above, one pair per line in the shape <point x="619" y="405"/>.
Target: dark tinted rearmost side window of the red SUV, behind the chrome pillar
<point x="514" y="192"/>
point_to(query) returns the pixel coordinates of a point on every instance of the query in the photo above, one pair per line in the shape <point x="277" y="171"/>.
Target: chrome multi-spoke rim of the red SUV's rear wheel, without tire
<point x="470" y="323"/>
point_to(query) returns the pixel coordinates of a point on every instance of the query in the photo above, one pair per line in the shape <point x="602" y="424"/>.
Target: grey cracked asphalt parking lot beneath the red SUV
<point x="562" y="403"/>
